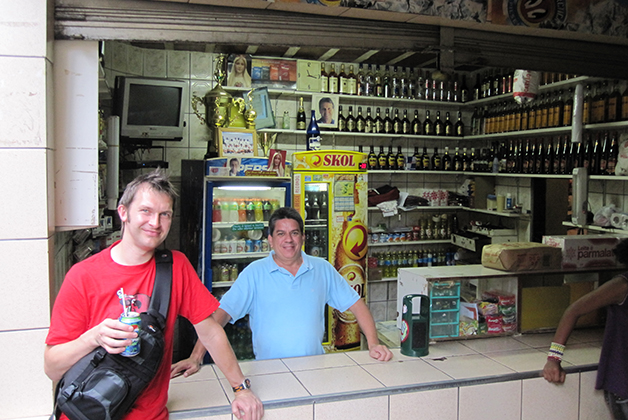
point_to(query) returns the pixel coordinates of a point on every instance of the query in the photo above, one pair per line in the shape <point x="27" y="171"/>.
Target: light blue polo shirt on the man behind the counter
<point x="286" y="312"/>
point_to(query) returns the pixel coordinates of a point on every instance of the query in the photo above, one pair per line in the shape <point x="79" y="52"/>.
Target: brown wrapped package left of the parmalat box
<point x="521" y="256"/>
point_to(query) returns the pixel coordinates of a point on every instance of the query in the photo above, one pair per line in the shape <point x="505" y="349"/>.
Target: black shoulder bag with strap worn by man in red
<point x="103" y="386"/>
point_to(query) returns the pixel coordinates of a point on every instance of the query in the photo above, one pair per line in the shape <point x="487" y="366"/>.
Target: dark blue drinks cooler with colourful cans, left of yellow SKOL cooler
<point x="224" y="223"/>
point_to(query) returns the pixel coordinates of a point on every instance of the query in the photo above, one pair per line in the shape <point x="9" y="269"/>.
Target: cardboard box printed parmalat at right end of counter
<point x="585" y="251"/>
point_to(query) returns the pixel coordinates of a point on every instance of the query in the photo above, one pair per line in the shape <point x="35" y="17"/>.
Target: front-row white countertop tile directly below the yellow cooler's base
<point x="335" y="380"/>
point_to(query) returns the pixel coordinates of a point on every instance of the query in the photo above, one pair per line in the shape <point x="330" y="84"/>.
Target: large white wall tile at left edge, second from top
<point x="23" y="106"/>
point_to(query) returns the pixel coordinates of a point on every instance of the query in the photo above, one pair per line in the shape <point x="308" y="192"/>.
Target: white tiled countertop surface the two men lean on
<point x="353" y="374"/>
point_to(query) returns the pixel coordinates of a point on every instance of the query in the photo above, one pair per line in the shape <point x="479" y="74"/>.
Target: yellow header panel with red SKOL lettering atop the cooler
<point x="329" y="160"/>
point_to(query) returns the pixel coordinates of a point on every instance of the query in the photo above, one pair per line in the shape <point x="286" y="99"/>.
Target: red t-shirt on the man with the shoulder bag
<point x="88" y="295"/>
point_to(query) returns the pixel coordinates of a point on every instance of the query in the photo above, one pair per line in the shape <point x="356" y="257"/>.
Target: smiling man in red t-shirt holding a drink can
<point x="85" y="314"/>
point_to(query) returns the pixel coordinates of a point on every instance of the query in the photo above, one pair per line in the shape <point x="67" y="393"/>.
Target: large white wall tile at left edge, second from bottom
<point x="24" y="268"/>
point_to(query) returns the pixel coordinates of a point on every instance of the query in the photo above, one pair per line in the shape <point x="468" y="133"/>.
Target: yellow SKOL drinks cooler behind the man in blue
<point x="330" y="191"/>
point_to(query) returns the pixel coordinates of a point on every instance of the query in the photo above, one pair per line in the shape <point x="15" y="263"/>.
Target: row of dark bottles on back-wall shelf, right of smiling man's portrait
<point x="395" y="124"/>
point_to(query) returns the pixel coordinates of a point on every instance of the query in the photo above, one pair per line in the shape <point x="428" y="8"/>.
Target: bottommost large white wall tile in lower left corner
<point x="29" y="392"/>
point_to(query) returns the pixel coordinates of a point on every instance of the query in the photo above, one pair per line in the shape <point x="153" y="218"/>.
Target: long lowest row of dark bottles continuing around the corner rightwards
<point x="597" y="152"/>
